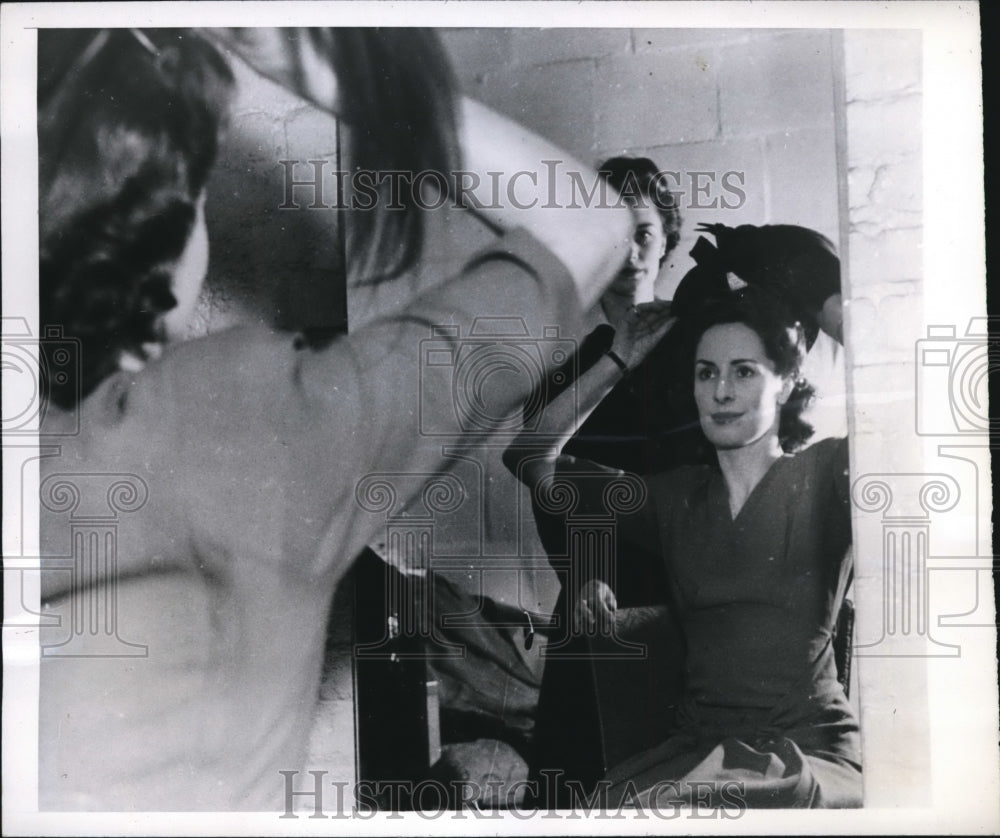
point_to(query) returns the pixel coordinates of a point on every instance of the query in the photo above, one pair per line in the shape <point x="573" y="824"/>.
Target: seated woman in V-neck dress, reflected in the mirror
<point x="756" y="550"/>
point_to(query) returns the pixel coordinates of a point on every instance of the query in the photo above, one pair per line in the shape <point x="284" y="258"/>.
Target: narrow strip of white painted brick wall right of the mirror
<point x="884" y="313"/>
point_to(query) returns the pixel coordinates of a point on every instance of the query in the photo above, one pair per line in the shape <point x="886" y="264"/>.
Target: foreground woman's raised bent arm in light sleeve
<point x="382" y="400"/>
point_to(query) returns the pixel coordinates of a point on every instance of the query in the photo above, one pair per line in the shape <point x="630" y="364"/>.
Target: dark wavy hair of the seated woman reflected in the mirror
<point x="784" y="344"/>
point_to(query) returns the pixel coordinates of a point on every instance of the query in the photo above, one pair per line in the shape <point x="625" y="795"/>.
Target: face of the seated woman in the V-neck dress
<point x="738" y="393"/>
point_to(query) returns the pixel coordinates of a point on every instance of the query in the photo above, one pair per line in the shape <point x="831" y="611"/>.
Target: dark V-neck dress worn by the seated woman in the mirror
<point x="757" y="597"/>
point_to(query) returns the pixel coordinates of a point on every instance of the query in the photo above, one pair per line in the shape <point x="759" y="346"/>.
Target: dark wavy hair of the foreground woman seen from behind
<point x="128" y="128"/>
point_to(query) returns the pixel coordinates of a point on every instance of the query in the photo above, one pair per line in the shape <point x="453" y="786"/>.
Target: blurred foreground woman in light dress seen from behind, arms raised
<point x="233" y="459"/>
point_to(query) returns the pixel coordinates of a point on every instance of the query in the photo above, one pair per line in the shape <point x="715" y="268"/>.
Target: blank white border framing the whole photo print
<point x="962" y="692"/>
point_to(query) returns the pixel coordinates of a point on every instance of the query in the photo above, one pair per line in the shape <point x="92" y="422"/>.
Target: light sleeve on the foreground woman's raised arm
<point x="328" y="443"/>
